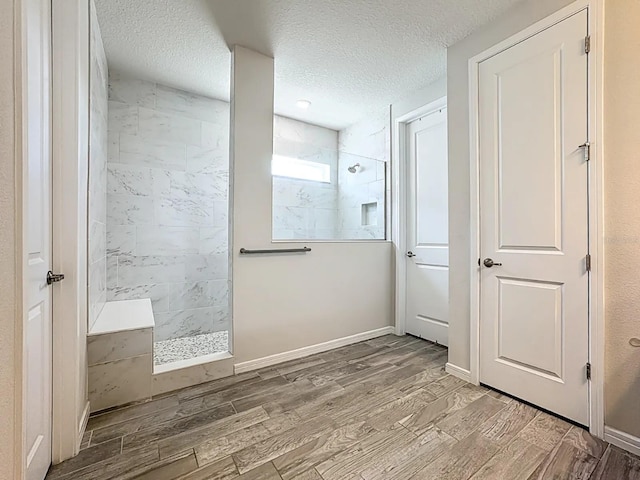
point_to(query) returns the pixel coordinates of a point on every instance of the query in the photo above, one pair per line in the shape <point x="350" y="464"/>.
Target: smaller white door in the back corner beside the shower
<point x="428" y="229"/>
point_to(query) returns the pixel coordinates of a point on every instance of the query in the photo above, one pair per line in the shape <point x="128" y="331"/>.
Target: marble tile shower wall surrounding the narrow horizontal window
<point x="304" y="209"/>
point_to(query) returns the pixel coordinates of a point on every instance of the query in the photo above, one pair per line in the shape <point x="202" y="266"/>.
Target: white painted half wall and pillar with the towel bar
<point x="287" y="302"/>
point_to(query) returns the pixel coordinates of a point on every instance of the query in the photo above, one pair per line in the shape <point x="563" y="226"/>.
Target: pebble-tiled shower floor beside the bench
<point x="186" y="348"/>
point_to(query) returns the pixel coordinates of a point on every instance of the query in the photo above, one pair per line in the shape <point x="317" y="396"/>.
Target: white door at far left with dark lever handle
<point x="37" y="239"/>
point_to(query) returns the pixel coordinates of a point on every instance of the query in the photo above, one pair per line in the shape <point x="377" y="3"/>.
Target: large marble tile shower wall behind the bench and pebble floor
<point x="167" y="205"/>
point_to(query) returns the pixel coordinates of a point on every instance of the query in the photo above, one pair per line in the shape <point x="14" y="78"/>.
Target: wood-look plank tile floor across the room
<point x="378" y="410"/>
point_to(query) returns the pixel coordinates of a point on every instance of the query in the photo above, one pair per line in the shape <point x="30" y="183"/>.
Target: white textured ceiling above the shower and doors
<point x="348" y="57"/>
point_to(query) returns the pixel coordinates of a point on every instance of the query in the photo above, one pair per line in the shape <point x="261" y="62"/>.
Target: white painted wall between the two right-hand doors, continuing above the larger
<point x="458" y="55"/>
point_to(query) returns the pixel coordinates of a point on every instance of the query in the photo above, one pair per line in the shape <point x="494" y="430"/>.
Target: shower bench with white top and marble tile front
<point x="120" y="354"/>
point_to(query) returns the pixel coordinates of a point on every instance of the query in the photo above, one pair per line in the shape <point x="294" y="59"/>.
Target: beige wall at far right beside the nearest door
<point x="622" y="215"/>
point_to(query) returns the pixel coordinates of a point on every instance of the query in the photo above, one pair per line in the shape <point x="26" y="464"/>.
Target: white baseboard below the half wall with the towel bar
<point x="310" y="350"/>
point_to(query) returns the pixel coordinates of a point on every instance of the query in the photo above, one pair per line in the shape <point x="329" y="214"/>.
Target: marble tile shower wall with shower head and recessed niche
<point x="367" y="143"/>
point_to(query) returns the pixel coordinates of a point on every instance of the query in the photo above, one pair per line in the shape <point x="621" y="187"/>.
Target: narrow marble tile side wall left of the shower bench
<point x="97" y="214"/>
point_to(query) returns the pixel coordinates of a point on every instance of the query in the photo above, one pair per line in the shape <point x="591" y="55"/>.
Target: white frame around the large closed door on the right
<point x="595" y="78"/>
